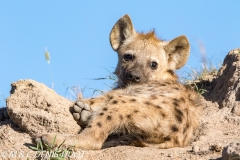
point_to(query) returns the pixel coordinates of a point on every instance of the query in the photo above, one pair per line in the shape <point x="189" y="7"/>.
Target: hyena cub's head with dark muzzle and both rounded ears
<point x="143" y="58"/>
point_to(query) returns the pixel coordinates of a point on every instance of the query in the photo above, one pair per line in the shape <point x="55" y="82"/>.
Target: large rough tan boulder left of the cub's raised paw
<point x="35" y="108"/>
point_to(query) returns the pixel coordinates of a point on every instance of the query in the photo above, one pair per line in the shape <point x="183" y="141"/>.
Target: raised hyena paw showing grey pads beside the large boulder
<point x="81" y="113"/>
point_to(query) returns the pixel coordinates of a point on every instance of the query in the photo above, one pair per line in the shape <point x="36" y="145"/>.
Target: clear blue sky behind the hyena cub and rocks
<point x="76" y="34"/>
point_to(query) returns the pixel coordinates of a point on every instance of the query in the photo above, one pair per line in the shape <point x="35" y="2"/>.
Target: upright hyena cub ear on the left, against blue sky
<point x="121" y="31"/>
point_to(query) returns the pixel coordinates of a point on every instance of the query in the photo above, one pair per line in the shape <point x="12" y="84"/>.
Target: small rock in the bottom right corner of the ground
<point x="232" y="151"/>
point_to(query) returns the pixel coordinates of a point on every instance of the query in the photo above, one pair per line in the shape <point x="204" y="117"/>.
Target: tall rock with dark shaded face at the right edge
<point x="227" y="89"/>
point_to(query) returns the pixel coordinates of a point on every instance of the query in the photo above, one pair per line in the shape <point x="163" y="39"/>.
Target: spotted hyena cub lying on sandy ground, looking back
<point x="149" y="104"/>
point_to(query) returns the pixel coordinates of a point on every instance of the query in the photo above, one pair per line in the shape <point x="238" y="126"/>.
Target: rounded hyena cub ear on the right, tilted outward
<point x="178" y="52"/>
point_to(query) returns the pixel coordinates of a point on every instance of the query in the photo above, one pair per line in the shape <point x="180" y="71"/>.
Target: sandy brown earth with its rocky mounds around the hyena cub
<point x="34" y="108"/>
